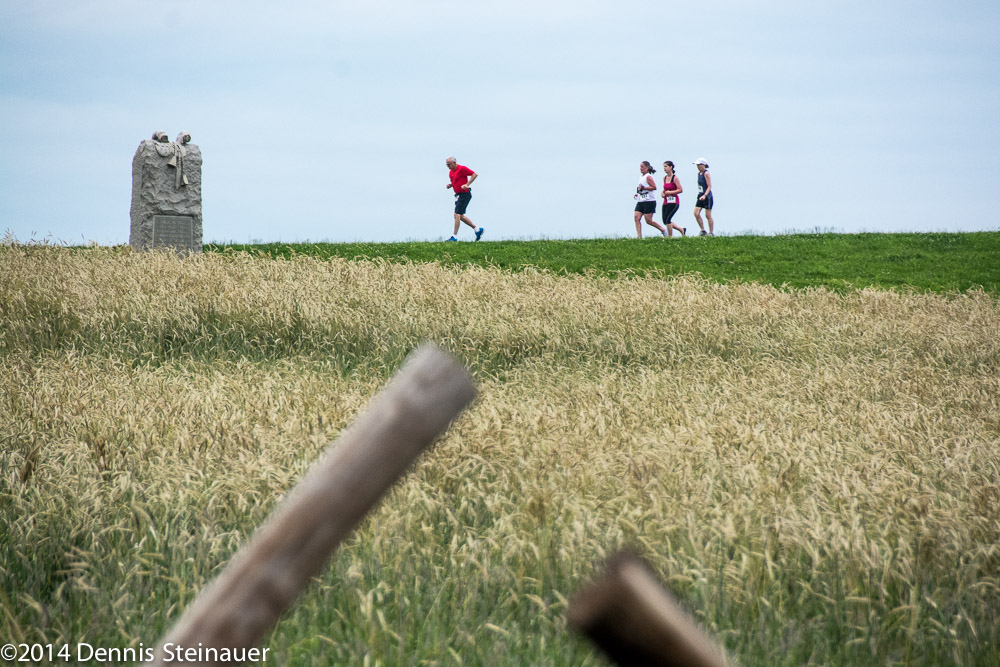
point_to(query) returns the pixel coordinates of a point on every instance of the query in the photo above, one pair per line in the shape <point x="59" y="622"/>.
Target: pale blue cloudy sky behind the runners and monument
<point x="331" y="121"/>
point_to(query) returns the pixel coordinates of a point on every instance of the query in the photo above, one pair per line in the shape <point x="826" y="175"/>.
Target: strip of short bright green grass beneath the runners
<point x="925" y="262"/>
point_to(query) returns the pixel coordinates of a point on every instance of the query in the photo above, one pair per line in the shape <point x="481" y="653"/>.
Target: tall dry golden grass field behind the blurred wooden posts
<point x="814" y="474"/>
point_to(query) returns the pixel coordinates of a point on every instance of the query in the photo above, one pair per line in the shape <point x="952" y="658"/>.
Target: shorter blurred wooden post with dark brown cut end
<point x="636" y="621"/>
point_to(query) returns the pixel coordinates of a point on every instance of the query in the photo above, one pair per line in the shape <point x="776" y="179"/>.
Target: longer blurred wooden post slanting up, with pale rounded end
<point x="268" y="572"/>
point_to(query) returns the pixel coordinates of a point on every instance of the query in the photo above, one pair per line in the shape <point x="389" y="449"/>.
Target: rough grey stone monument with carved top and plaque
<point x="166" y="194"/>
